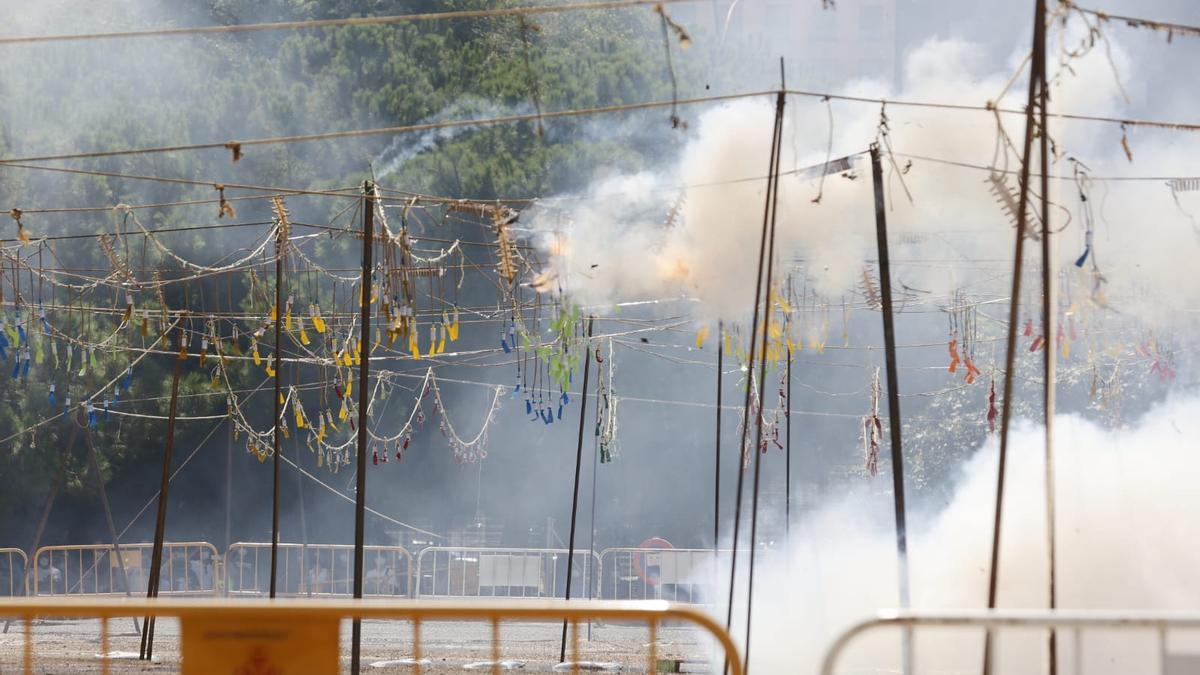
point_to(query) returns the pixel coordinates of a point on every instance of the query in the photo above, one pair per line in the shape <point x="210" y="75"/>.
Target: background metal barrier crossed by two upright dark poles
<point x="317" y="570"/>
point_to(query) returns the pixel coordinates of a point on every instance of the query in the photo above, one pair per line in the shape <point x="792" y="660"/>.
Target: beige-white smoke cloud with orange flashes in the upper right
<point x="693" y="229"/>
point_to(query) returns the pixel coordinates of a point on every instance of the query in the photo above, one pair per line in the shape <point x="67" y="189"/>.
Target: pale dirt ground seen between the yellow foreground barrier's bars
<point x="74" y="647"/>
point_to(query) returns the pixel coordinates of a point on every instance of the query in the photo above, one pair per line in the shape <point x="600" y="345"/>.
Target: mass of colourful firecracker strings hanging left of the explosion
<point x="73" y="347"/>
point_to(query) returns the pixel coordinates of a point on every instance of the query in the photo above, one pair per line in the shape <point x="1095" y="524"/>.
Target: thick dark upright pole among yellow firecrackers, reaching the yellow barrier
<point x="361" y="493"/>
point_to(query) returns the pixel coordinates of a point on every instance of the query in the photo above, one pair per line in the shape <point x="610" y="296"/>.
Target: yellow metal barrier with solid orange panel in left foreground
<point x="218" y="619"/>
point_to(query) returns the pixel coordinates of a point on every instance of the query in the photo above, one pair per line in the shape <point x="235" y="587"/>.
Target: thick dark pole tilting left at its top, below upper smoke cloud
<point x="895" y="422"/>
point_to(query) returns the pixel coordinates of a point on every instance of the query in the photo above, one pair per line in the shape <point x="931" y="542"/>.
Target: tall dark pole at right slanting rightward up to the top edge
<point x="1037" y="67"/>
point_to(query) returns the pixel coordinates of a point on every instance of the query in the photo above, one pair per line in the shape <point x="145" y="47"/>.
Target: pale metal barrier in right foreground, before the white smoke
<point x="1121" y="641"/>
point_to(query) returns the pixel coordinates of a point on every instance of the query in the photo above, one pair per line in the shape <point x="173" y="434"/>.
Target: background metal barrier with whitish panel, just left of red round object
<point x="476" y="572"/>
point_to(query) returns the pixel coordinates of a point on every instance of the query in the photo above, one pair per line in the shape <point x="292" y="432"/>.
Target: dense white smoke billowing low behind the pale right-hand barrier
<point x="1125" y="534"/>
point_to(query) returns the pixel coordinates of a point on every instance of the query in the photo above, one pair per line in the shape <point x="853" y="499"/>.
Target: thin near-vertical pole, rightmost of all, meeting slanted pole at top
<point x="1048" y="320"/>
